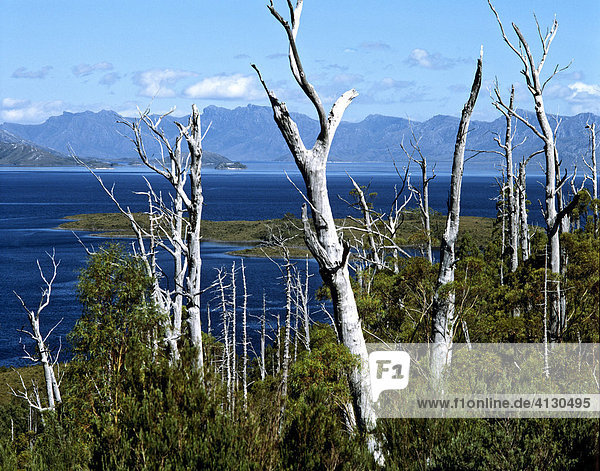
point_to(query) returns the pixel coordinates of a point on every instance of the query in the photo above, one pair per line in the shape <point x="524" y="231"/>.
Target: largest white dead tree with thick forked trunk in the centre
<point x="324" y="242"/>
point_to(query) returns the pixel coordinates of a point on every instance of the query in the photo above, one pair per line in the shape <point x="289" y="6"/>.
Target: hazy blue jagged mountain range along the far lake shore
<point x="249" y="133"/>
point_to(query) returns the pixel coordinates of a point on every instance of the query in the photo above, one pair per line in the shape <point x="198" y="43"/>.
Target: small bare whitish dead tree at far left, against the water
<point x="43" y="353"/>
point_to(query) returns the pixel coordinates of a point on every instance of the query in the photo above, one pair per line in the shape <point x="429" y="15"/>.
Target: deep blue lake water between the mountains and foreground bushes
<point x="34" y="201"/>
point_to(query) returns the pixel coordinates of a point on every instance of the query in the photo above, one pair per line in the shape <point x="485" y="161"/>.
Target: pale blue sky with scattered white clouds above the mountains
<point x="406" y="58"/>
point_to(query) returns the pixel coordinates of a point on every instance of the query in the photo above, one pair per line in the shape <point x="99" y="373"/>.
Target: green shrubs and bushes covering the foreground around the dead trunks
<point x="126" y="407"/>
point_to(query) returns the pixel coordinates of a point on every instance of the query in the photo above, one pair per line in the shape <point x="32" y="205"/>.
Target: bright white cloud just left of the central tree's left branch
<point x="225" y="87"/>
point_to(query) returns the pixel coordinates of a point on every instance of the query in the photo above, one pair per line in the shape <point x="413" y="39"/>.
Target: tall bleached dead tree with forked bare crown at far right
<point x="531" y="72"/>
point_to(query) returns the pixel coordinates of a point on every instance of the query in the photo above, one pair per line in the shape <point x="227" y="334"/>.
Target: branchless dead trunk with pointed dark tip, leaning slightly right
<point x="443" y="302"/>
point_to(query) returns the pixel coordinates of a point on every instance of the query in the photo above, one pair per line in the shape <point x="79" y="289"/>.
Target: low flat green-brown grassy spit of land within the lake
<point x="256" y="233"/>
